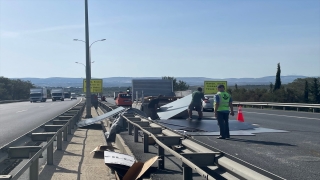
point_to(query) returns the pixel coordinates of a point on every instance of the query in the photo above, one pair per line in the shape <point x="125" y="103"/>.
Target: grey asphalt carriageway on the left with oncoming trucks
<point x="19" y="118"/>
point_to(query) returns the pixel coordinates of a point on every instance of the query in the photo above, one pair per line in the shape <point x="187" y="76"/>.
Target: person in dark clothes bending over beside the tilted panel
<point x="196" y="103"/>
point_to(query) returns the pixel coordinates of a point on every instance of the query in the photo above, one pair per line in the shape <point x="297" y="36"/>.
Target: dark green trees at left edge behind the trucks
<point x="14" y="89"/>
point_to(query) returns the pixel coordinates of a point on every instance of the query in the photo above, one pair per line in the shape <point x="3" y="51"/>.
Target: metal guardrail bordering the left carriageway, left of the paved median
<point x="57" y="128"/>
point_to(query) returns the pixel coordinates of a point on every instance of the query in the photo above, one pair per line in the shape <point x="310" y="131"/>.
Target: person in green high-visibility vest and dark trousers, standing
<point x="222" y="108"/>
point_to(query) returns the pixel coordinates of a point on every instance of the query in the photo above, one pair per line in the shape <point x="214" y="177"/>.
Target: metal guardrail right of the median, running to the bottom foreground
<point x="199" y="157"/>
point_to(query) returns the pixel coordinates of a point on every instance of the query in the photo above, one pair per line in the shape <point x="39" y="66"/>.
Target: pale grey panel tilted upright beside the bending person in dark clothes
<point x="169" y="110"/>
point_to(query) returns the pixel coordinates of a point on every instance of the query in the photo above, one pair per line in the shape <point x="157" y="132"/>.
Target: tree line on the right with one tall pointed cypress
<point x="301" y="90"/>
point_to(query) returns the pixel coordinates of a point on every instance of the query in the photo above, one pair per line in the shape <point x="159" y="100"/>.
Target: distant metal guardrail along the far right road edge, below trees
<point x="284" y="105"/>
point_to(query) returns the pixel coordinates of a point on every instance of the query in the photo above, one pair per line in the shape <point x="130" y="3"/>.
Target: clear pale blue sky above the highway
<point x="181" y="38"/>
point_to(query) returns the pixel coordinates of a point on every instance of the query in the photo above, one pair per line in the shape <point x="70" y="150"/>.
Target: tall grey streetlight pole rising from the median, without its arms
<point x="88" y="67"/>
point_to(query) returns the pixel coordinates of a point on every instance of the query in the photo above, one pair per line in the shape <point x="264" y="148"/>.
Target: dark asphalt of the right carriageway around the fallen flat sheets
<point x="292" y="155"/>
